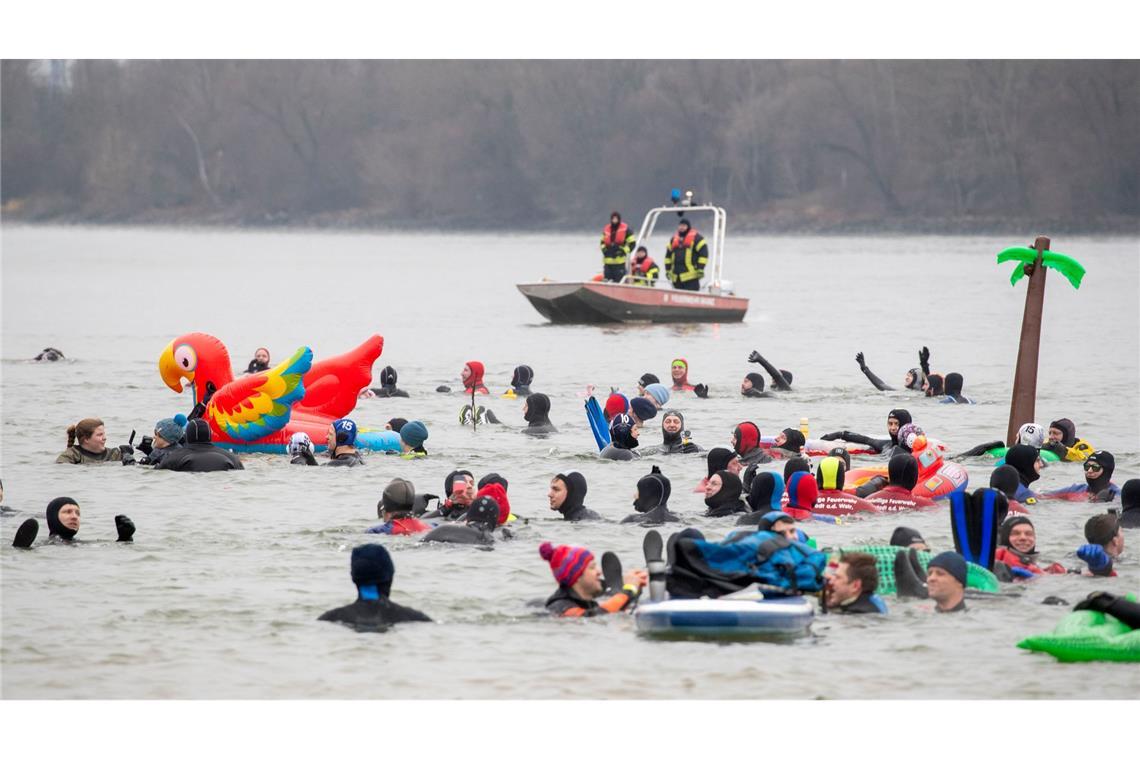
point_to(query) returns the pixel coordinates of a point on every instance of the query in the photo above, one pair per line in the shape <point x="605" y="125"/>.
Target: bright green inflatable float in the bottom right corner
<point x="1084" y="636"/>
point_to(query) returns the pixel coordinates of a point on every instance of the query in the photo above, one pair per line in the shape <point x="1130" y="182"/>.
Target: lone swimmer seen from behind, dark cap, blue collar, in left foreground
<point x="373" y="611"/>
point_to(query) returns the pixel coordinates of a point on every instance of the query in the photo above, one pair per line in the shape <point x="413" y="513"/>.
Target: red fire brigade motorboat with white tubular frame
<point x="637" y="300"/>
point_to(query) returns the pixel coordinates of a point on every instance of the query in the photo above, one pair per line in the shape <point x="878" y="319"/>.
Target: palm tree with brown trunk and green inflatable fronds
<point x="1033" y="264"/>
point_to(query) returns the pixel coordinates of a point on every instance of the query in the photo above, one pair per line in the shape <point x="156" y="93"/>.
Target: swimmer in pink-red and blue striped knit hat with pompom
<point x="581" y="584"/>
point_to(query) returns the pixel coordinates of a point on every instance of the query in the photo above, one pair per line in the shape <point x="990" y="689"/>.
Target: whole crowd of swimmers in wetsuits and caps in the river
<point x="777" y="501"/>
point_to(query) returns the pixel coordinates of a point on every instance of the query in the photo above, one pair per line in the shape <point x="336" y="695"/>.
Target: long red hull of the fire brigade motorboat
<point x="597" y="304"/>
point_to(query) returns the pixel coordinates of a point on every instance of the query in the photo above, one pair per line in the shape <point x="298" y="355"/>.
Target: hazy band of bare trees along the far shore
<point x="811" y="145"/>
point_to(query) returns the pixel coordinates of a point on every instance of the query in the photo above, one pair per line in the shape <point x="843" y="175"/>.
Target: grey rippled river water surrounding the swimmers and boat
<point x="219" y="594"/>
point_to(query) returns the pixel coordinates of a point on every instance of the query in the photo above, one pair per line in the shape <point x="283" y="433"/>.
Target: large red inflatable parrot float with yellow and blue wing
<point x="260" y="412"/>
